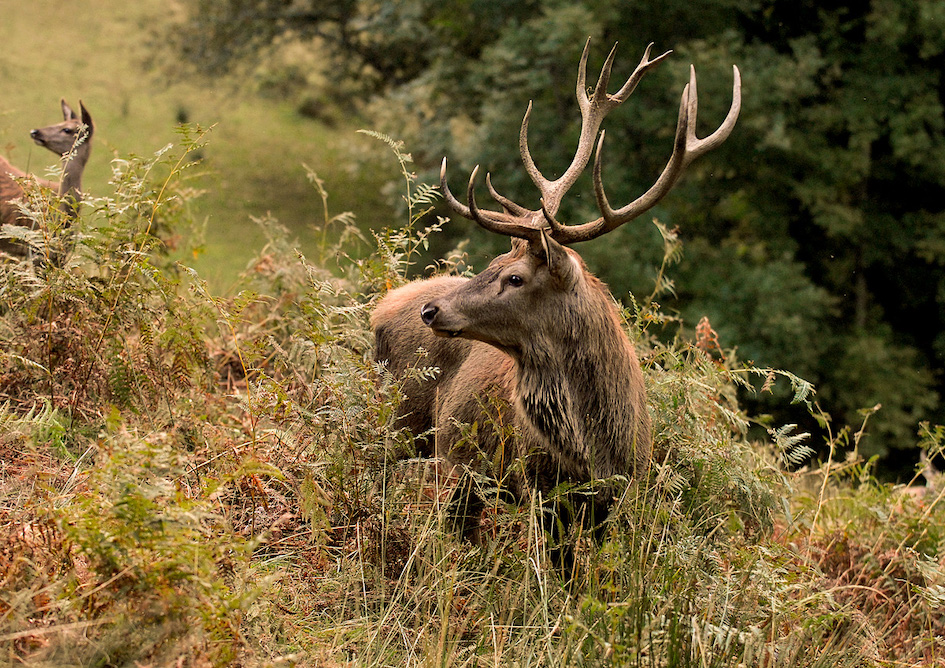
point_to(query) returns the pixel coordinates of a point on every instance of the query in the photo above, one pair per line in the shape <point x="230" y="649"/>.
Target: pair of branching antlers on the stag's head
<point x="519" y="221"/>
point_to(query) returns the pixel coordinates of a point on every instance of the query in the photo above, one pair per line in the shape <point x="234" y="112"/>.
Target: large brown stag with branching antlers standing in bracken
<point x="536" y="328"/>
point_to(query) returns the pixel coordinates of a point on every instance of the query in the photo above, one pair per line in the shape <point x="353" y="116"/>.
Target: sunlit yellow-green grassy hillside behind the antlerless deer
<point x="96" y="51"/>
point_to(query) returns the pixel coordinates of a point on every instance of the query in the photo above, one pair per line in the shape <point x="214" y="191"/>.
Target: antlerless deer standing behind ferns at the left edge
<point x="71" y="140"/>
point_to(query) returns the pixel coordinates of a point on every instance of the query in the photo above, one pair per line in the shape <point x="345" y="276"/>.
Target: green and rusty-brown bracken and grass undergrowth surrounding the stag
<point x="191" y="480"/>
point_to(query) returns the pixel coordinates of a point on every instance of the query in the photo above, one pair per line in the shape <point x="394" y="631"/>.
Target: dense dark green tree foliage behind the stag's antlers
<point x="814" y="238"/>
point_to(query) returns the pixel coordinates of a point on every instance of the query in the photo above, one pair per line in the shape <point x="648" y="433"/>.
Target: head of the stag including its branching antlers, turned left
<point x="500" y="306"/>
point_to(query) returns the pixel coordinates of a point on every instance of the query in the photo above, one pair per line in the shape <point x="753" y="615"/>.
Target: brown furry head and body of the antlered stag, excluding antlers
<point x="553" y="349"/>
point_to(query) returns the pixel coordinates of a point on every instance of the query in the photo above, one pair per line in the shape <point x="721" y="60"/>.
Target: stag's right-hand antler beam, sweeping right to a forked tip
<point x="686" y="148"/>
